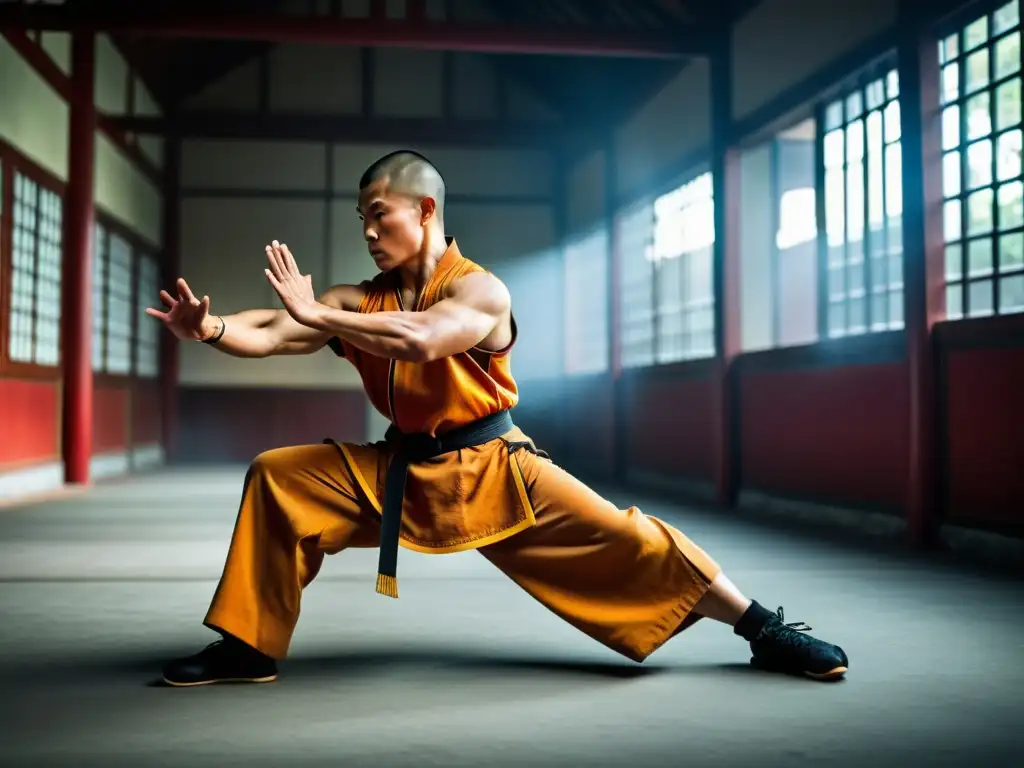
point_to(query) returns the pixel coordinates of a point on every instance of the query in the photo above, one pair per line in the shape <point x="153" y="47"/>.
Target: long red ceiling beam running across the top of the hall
<point x="366" y="33"/>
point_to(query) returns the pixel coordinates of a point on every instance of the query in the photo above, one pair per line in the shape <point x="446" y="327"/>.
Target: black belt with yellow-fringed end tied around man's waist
<point x="412" y="449"/>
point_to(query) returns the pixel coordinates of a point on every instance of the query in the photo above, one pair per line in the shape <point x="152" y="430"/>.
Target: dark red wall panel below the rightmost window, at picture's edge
<point x="987" y="435"/>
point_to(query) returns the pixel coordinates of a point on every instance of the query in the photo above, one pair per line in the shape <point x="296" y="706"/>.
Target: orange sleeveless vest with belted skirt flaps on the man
<point x="466" y="499"/>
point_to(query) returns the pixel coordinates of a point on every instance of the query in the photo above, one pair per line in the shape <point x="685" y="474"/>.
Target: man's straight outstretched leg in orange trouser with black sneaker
<point x="632" y="582"/>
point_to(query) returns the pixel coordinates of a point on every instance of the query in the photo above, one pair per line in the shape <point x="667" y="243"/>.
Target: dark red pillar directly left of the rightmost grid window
<point x="923" y="261"/>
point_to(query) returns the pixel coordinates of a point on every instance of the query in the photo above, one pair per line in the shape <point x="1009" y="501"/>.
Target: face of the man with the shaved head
<point x="394" y="225"/>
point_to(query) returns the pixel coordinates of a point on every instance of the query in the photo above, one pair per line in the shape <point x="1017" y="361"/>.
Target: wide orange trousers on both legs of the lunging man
<point x="625" y="579"/>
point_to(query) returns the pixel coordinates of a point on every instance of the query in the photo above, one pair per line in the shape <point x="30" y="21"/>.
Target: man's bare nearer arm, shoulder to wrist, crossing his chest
<point x="475" y="307"/>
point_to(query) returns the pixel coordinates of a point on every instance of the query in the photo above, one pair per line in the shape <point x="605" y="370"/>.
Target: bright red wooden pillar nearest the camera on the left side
<point x="77" y="315"/>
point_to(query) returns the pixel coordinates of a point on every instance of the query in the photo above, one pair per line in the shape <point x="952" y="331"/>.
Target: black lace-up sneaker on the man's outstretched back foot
<point x="785" y="648"/>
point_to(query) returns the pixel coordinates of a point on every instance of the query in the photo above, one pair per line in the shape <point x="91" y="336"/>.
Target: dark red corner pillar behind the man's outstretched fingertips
<point x="169" y="273"/>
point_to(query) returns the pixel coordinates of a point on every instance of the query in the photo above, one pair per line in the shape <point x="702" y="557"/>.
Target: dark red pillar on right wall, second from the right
<point x="726" y="174"/>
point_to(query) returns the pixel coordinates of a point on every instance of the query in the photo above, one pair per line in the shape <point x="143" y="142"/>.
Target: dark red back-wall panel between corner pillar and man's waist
<point x="236" y="424"/>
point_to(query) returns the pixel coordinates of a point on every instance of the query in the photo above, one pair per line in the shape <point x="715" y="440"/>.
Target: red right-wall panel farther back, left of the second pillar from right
<point x="670" y="425"/>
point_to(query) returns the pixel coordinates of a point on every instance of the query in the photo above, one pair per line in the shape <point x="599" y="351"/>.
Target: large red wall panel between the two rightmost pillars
<point x="836" y="435"/>
